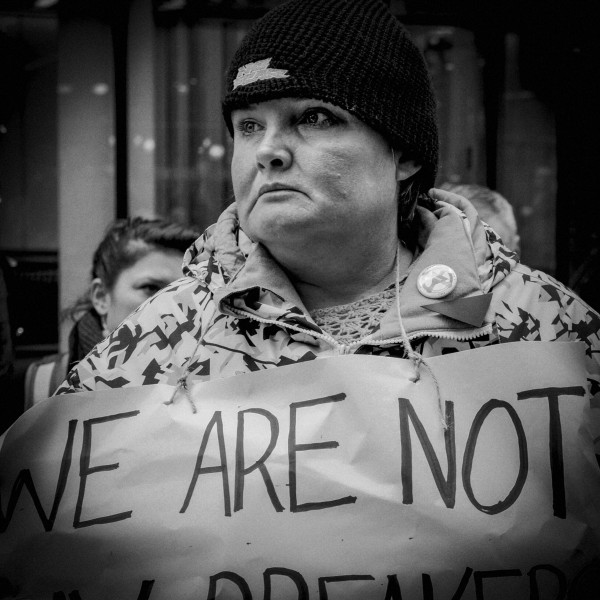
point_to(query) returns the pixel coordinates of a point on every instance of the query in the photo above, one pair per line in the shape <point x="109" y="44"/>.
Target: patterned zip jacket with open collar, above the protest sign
<point x="235" y="311"/>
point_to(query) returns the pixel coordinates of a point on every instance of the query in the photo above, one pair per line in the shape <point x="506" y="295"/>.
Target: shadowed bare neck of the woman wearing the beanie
<point x="336" y="278"/>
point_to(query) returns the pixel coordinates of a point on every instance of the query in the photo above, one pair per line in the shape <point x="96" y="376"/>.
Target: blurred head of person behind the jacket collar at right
<point x="493" y="208"/>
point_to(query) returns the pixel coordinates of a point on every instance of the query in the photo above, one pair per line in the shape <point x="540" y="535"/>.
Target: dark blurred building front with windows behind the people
<point x="111" y="108"/>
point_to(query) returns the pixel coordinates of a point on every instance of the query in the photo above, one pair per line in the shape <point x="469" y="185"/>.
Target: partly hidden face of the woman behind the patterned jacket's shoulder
<point x="139" y="282"/>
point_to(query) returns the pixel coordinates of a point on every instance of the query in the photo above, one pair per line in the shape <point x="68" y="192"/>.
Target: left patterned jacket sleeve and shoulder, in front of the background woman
<point x="151" y="346"/>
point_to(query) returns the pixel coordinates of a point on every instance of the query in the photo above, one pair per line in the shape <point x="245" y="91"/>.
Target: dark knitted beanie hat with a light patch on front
<point x="351" y="53"/>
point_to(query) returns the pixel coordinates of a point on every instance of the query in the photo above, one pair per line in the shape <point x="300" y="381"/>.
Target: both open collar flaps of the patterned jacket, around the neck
<point x="258" y="285"/>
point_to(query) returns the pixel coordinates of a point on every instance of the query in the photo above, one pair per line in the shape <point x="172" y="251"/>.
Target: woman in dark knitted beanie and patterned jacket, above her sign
<point x="333" y="245"/>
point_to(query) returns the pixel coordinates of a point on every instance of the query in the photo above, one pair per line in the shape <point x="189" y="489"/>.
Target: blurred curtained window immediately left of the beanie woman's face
<point x="193" y="149"/>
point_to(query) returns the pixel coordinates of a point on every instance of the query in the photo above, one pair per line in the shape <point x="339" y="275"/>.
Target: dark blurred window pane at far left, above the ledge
<point x="28" y="131"/>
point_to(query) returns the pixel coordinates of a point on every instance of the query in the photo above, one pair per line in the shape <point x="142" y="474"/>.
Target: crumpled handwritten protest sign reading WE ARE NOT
<point x="337" y="478"/>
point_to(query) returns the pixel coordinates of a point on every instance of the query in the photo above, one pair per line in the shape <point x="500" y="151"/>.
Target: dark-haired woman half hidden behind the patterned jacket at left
<point x="136" y="258"/>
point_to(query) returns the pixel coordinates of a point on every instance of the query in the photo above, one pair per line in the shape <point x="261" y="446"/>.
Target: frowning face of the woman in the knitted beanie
<point x="306" y="171"/>
